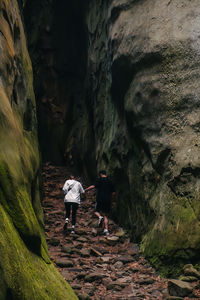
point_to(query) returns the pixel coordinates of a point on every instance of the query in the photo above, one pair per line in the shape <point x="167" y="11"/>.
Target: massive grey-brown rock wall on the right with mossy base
<point x="143" y="60"/>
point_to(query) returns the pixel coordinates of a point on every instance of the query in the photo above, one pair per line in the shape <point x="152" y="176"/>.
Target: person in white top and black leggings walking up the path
<point x="72" y="190"/>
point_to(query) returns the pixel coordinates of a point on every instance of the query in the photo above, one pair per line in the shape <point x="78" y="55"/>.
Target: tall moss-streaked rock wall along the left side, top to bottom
<point x="25" y="268"/>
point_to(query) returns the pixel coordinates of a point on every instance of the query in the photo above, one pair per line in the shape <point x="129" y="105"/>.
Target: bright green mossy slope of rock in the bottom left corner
<point x="25" y="273"/>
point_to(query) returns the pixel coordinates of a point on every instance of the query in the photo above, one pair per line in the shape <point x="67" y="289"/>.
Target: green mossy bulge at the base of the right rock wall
<point x="174" y="237"/>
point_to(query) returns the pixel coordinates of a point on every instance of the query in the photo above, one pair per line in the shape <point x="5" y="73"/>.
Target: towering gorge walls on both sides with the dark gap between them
<point x="99" y="84"/>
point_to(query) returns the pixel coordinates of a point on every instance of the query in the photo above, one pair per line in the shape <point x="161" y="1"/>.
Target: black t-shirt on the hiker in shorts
<point x="104" y="188"/>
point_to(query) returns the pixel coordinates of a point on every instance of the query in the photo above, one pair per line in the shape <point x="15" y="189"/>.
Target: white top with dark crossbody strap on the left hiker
<point x="73" y="189"/>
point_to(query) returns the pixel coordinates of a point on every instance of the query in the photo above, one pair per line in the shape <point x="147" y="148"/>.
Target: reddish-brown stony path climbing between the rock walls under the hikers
<point x="97" y="267"/>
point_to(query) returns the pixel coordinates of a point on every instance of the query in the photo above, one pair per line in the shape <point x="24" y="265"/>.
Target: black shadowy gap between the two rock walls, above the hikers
<point x="57" y="42"/>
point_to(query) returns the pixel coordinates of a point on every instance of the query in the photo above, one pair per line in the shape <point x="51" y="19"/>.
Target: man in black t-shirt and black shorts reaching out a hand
<point x="105" y="191"/>
